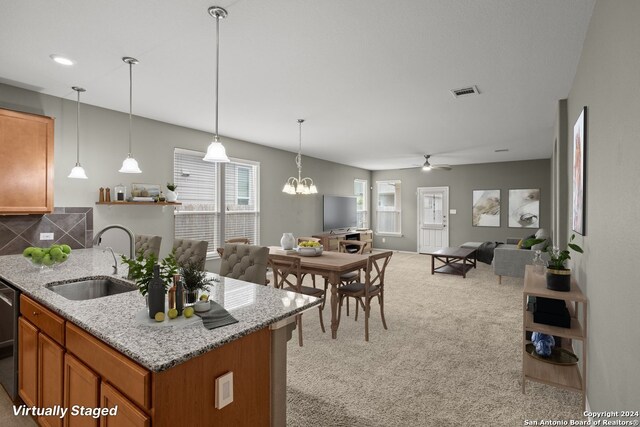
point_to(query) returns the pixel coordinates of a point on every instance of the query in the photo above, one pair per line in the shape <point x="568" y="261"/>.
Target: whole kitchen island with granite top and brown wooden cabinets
<point x="163" y="375"/>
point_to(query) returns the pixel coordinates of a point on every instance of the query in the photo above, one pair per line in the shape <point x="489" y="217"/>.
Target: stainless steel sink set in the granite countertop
<point x="85" y="289"/>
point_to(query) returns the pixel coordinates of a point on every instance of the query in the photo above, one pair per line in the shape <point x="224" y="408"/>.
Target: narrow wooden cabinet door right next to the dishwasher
<point x="27" y="362"/>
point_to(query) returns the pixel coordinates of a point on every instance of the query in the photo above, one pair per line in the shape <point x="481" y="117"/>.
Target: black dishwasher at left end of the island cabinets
<point x="9" y="311"/>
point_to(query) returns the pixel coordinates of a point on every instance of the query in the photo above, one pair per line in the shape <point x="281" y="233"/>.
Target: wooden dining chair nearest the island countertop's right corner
<point x="287" y="276"/>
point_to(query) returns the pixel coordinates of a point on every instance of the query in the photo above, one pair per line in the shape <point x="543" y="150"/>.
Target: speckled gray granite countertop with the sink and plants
<point x="116" y="320"/>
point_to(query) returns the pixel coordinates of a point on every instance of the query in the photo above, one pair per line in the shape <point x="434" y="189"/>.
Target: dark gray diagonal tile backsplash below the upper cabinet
<point x="71" y="226"/>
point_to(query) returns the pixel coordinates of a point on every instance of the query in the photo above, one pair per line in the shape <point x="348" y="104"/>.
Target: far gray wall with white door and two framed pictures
<point x="462" y="180"/>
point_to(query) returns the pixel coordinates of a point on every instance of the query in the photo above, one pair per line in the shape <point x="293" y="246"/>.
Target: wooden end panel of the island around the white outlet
<point x="185" y="394"/>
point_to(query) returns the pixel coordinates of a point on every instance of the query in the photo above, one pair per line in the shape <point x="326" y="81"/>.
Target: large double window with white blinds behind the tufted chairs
<point x="201" y="194"/>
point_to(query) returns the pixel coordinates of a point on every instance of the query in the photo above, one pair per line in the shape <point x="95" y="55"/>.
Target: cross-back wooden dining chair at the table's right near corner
<point x="372" y="287"/>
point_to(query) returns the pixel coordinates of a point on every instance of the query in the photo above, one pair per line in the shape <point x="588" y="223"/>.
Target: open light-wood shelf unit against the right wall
<point x="569" y="377"/>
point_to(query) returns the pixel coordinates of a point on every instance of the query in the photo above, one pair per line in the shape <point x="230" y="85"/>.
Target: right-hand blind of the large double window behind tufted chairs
<point x="242" y="204"/>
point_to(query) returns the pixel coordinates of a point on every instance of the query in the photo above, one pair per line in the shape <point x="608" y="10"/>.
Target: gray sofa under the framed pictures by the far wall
<point x="510" y="259"/>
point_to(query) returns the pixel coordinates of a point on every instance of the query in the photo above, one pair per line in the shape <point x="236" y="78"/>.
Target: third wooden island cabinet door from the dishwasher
<point x="82" y="388"/>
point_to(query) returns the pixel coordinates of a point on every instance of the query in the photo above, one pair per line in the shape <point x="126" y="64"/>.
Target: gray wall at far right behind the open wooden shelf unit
<point x="608" y="83"/>
